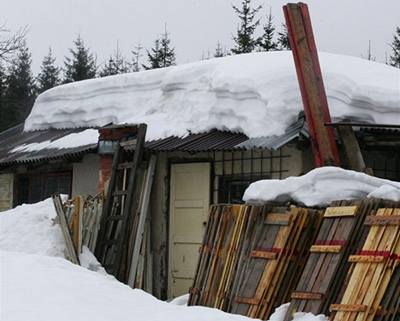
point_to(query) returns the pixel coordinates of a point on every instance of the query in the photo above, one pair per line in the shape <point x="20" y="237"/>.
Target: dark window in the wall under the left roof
<point x="32" y="188"/>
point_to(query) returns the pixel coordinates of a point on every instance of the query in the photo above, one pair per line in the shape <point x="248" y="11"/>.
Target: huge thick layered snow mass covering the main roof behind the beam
<point x="257" y="94"/>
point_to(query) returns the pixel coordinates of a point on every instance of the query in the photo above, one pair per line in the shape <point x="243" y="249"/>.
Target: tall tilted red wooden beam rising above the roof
<point x="312" y="88"/>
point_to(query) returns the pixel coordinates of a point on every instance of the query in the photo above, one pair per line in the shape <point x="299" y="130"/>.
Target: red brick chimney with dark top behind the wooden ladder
<point x="109" y="137"/>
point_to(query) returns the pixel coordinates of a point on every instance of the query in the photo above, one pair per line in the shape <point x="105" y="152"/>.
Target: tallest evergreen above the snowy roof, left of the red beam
<point x="244" y="39"/>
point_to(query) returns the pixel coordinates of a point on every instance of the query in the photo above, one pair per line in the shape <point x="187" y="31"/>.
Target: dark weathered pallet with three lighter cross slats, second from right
<point x="326" y="268"/>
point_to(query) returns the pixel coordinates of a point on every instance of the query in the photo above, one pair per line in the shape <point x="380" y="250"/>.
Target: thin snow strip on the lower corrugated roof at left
<point x="86" y="137"/>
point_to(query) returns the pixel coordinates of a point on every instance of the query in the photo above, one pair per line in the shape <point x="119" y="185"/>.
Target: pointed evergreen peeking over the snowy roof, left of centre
<point x="162" y="54"/>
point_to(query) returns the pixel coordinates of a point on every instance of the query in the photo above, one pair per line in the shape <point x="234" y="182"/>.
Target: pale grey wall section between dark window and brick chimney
<point x="85" y="175"/>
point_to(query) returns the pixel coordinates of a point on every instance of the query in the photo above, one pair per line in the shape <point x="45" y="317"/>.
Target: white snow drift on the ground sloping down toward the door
<point x="38" y="284"/>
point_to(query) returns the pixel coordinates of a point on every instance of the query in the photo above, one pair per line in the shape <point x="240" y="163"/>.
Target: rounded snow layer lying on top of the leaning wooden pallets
<point x="322" y="186"/>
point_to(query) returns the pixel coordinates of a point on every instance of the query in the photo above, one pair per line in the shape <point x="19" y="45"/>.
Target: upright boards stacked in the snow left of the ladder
<point x="80" y="222"/>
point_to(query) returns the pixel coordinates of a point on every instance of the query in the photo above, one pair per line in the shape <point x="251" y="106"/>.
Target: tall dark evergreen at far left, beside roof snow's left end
<point x="20" y="92"/>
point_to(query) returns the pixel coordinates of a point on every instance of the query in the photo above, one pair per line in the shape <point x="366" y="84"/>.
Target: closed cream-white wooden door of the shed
<point x="189" y="202"/>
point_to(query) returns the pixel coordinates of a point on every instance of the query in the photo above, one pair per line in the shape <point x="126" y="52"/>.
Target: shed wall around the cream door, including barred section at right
<point x="282" y="163"/>
